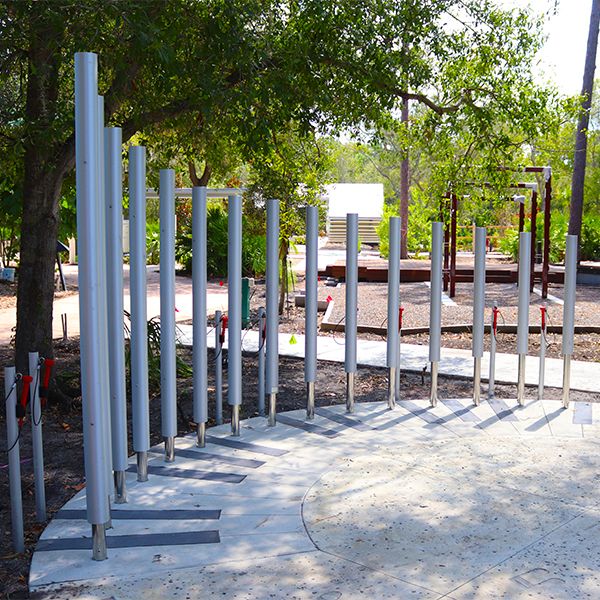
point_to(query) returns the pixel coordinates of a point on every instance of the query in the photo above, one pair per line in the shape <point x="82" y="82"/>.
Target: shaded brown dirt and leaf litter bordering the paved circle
<point x="63" y="432"/>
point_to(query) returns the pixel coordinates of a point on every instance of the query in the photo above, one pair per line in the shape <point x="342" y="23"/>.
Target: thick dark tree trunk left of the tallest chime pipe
<point x="44" y="170"/>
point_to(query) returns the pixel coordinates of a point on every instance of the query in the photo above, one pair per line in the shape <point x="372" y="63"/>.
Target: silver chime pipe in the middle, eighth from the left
<point x="272" y="306"/>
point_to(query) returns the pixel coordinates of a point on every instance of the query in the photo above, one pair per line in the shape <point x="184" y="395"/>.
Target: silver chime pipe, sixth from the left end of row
<point x="199" y="283"/>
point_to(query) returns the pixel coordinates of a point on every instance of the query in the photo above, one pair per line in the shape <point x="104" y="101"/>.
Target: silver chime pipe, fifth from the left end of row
<point x="168" y="346"/>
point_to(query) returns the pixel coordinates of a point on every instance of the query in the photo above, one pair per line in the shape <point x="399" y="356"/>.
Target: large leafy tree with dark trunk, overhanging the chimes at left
<point x="242" y="69"/>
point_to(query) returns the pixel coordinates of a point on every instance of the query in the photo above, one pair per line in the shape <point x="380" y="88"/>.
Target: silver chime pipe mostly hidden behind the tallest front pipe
<point x="103" y="303"/>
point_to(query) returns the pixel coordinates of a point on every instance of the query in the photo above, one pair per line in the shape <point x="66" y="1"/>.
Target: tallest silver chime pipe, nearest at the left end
<point x="88" y="232"/>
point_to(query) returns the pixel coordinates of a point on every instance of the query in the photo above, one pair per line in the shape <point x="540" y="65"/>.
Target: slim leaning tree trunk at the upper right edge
<point x="577" y="183"/>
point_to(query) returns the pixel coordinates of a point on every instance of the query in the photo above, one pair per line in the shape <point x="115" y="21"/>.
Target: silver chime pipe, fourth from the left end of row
<point x="139" y="323"/>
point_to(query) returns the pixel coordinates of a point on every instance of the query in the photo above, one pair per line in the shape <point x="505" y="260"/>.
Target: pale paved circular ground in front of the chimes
<point x="453" y="502"/>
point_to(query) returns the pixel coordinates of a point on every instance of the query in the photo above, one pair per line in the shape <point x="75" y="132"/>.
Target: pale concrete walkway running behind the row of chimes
<point x="585" y="376"/>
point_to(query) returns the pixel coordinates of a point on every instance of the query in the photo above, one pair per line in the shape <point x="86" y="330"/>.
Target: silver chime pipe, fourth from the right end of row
<point x="435" y="311"/>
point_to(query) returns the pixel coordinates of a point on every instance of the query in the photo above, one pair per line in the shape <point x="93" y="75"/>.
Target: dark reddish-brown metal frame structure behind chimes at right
<point x="451" y="199"/>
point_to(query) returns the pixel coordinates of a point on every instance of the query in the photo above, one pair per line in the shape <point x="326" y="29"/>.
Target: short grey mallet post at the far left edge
<point x="14" y="460"/>
